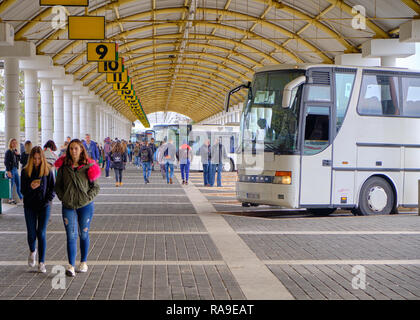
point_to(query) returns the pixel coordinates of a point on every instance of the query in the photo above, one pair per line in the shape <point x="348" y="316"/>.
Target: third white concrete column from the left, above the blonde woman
<point x="46" y="111"/>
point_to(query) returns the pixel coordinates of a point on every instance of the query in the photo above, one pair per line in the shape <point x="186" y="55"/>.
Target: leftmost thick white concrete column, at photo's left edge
<point x="11" y="99"/>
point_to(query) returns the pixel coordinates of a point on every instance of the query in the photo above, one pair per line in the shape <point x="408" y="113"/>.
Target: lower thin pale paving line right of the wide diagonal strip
<point x="341" y="262"/>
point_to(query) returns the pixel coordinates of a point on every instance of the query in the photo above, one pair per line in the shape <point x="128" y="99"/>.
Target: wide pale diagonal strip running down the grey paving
<point x="256" y="281"/>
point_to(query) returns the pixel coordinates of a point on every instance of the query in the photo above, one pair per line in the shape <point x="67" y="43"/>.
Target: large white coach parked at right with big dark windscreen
<point x="331" y="137"/>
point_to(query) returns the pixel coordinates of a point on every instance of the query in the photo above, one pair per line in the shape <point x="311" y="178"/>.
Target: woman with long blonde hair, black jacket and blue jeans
<point x="37" y="186"/>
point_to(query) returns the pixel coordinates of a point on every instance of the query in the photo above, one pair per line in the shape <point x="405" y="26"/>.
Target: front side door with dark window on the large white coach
<point x="316" y="155"/>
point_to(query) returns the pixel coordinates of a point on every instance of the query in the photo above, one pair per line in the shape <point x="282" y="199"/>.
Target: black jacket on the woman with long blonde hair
<point x="41" y="196"/>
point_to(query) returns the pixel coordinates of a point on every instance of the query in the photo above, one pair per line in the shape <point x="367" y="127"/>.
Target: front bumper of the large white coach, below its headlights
<point x="268" y="194"/>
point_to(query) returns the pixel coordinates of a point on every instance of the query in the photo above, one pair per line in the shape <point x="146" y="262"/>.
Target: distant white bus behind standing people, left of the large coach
<point x="212" y="132"/>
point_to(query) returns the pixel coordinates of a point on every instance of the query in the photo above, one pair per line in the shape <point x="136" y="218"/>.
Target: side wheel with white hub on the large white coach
<point x="376" y="197"/>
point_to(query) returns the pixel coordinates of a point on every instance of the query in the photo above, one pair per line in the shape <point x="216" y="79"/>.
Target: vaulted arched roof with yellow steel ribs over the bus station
<point x="184" y="55"/>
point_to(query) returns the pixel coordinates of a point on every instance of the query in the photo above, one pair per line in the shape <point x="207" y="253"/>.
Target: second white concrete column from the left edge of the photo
<point x="31" y="106"/>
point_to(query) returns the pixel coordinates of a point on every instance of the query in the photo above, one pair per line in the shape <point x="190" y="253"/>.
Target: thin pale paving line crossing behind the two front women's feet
<point x="119" y="263"/>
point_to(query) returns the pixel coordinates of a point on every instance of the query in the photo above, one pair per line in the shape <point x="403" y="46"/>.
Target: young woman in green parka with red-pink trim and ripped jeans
<point x="76" y="187"/>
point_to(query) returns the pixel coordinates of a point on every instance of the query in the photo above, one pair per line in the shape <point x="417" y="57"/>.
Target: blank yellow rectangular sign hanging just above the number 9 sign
<point x="86" y="28"/>
